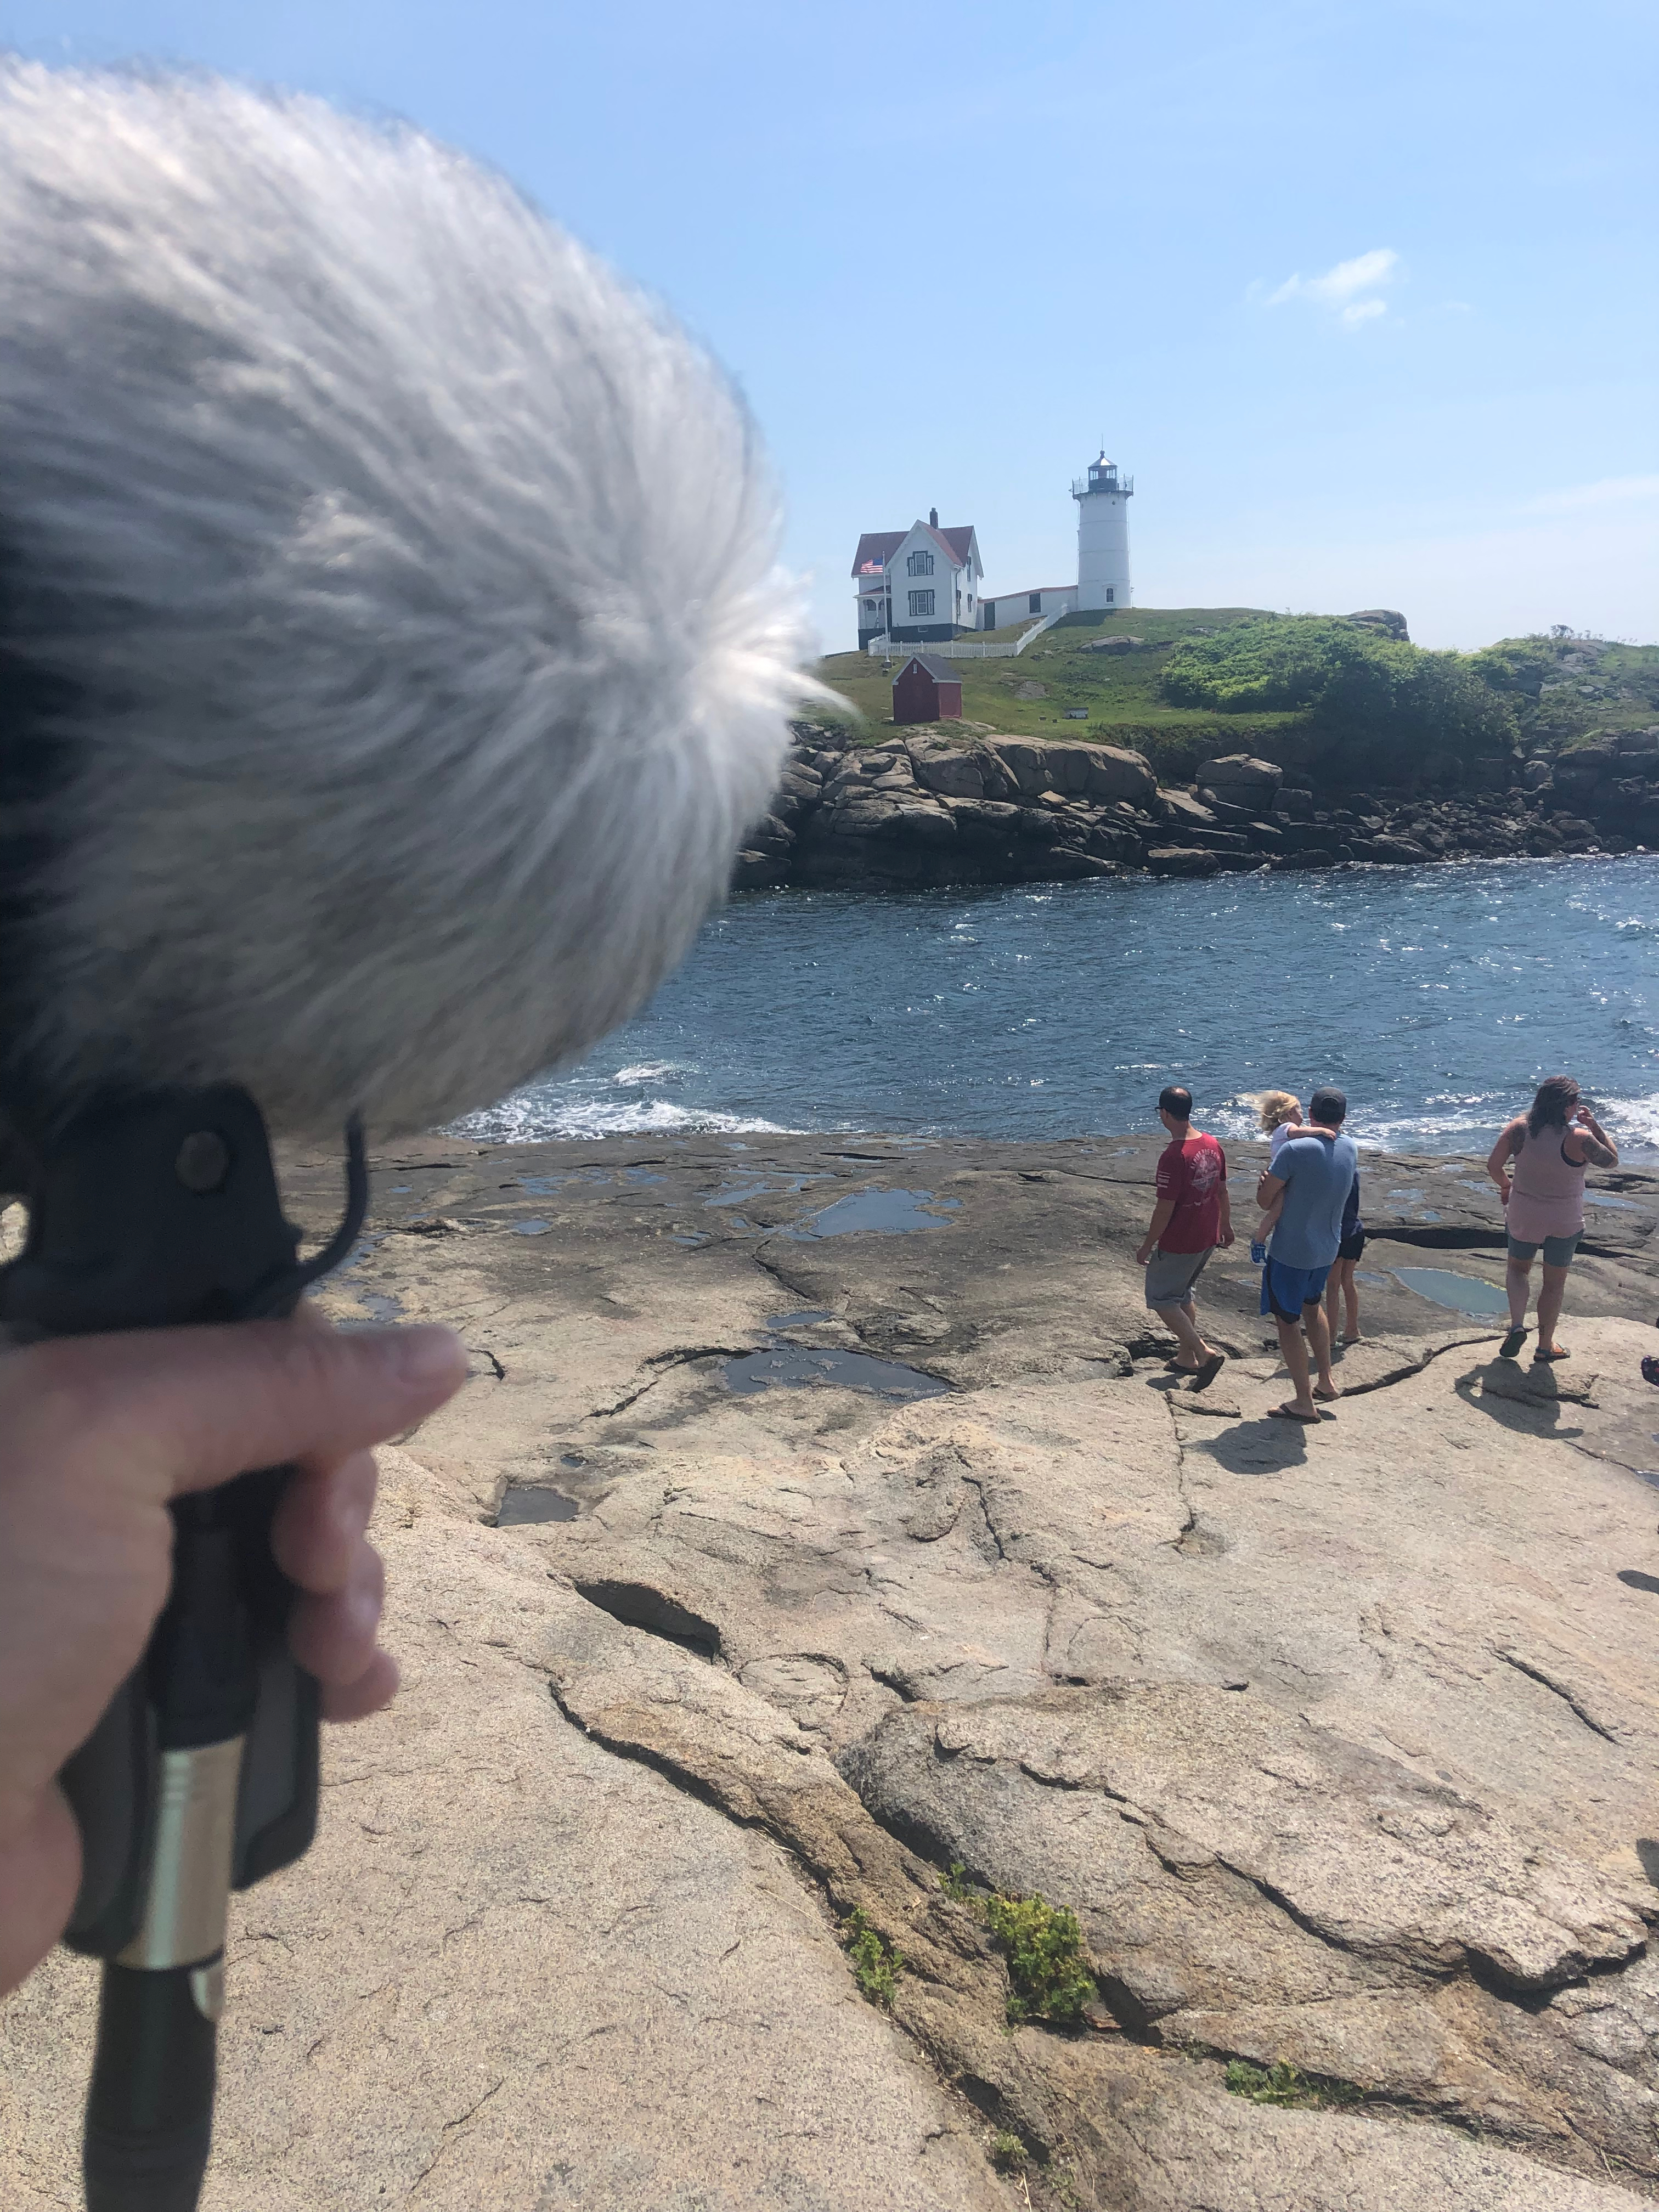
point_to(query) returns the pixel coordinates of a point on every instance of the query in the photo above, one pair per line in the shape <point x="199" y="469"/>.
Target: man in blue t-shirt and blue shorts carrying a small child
<point x="1317" y="1173"/>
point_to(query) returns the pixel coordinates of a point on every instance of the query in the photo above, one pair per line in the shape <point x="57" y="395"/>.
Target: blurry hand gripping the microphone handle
<point x="96" y="1437"/>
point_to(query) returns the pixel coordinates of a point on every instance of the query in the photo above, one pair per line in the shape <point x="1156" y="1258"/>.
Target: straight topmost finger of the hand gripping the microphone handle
<point x="185" y="1410"/>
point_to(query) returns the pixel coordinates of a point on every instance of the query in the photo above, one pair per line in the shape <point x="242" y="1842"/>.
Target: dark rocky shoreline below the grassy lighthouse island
<point x="959" y="804"/>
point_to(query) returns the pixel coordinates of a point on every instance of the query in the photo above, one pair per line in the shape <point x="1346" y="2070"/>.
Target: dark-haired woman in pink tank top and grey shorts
<point x="1538" y="1165"/>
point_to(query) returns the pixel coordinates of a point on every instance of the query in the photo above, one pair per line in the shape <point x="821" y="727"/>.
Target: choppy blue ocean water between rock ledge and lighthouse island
<point x="1434" y="997"/>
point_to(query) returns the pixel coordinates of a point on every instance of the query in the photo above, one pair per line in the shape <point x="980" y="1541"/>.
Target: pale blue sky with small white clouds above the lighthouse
<point x="1364" y="295"/>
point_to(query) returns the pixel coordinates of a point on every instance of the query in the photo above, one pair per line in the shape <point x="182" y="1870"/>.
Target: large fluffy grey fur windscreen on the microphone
<point x="388" y="612"/>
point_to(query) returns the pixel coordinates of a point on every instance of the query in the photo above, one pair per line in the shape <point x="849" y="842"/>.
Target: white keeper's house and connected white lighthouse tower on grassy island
<point x="924" y="585"/>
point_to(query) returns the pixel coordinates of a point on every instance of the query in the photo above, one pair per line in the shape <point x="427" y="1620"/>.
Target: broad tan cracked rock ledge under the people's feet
<point x="1339" y="1744"/>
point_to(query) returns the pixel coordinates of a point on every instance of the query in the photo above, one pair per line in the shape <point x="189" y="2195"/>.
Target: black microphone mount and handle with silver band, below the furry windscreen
<point x="160" y="1209"/>
